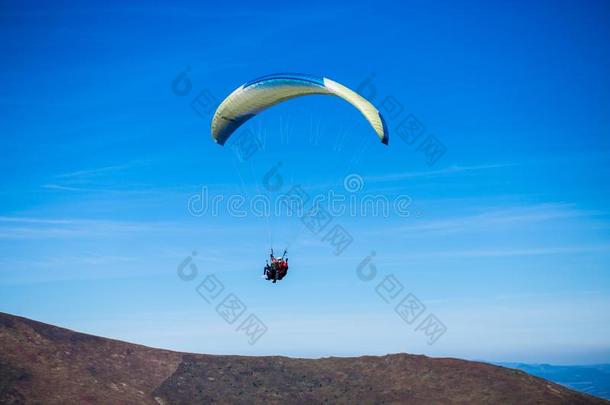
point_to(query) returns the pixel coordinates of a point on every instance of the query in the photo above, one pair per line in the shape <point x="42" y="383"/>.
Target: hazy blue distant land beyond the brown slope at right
<point x="594" y="379"/>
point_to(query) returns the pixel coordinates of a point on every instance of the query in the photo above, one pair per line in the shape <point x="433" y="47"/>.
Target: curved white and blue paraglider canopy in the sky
<point x="257" y="95"/>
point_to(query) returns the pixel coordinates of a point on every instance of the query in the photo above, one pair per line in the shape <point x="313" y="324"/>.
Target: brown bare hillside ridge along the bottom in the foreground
<point x="44" y="364"/>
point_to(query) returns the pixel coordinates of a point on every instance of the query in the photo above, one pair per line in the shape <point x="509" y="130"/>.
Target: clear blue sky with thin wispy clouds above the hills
<point x="508" y="238"/>
